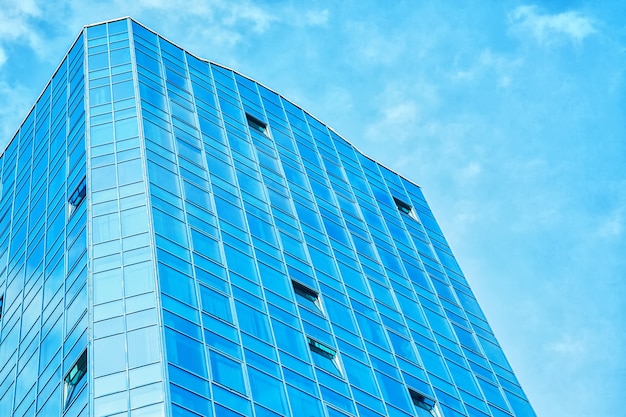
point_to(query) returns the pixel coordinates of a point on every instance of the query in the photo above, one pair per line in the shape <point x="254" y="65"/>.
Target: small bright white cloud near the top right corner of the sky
<point x="549" y="28"/>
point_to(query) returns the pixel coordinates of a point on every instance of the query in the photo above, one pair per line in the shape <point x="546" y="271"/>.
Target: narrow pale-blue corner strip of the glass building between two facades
<point x="126" y="365"/>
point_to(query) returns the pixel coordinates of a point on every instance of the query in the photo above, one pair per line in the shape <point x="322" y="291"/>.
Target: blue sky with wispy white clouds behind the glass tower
<point x="510" y="114"/>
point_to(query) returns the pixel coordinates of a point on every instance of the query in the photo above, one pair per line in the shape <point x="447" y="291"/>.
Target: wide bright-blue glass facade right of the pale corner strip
<point x="248" y="194"/>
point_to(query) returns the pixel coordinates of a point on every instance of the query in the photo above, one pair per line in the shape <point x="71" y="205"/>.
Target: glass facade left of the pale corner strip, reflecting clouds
<point x="43" y="257"/>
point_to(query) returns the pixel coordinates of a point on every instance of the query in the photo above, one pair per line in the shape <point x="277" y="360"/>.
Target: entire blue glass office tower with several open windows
<point x="178" y="239"/>
